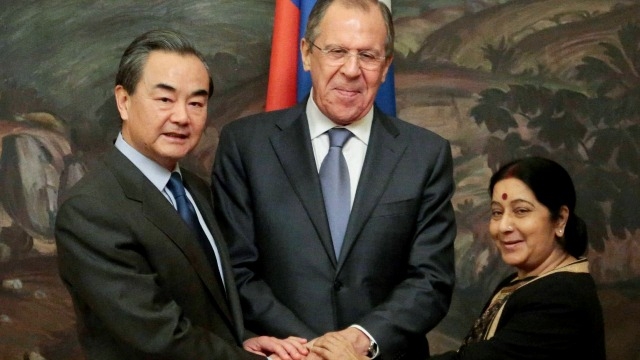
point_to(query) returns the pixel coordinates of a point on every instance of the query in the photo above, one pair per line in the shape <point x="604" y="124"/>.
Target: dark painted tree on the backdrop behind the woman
<point x="595" y="133"/>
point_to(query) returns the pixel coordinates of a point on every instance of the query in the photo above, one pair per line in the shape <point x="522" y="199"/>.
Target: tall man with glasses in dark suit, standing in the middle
<point x="388" y="280"/>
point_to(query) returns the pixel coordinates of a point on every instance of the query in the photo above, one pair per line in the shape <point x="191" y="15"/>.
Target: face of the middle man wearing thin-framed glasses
<point x="346" y="93"/>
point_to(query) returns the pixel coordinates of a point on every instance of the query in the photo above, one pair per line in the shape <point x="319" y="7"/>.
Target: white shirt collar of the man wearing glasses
<point x="319" y="123"/>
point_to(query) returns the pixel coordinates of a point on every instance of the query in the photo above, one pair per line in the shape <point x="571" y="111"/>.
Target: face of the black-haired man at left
<point x="165" y="116"/>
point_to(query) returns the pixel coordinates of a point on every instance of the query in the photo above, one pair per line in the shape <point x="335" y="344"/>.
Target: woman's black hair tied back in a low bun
<point x="552" y="187"/>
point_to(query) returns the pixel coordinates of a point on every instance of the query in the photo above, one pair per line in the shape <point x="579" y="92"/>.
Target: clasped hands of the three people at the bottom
<point x="347" y="344"/>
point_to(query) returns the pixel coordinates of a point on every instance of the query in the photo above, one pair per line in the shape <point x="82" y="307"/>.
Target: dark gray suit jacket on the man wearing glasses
<point x="395" y="273"/>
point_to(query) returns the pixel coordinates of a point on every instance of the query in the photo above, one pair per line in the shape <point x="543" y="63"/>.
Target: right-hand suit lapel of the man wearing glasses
<point x="384" y="151"/>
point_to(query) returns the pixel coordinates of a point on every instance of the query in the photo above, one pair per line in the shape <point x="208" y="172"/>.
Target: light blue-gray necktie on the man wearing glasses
<point x="336" y="186"/>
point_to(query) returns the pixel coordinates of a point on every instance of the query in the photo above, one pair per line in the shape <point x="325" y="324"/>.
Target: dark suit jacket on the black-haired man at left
<point x="141" y="286"/>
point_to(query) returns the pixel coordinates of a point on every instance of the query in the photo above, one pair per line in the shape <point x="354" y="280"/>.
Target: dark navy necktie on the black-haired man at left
<point x="188" y="213"/>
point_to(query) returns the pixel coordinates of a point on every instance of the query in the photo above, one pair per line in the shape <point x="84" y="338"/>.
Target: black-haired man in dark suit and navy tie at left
<point x="142" y="283"/>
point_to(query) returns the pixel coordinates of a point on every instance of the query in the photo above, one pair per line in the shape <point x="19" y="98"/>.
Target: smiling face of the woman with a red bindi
<point x="523" y="230"/>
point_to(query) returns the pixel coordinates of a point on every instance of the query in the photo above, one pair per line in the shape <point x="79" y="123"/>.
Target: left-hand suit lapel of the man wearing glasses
<point x="297" y="160"/>
